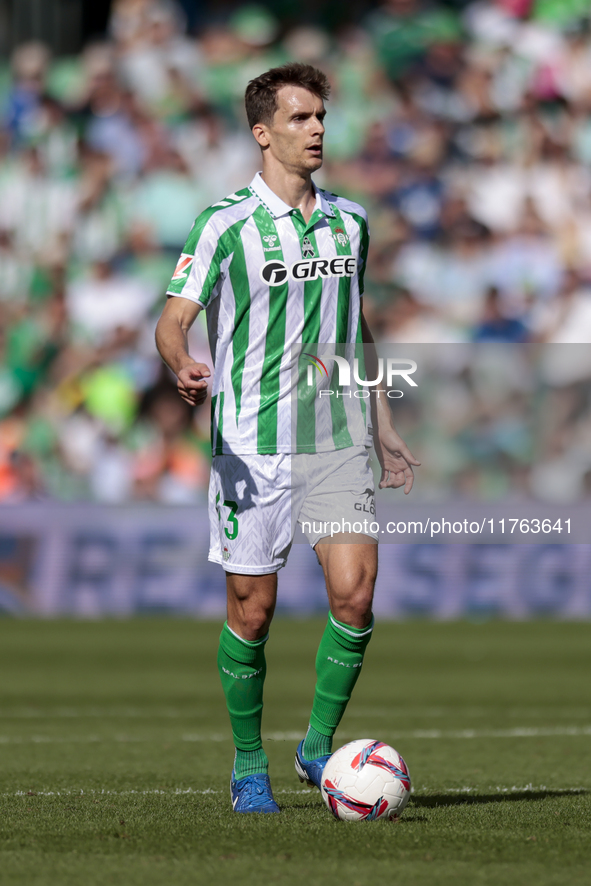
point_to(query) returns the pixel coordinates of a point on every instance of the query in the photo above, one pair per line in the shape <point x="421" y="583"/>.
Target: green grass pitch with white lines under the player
<point x="116" y="757"/>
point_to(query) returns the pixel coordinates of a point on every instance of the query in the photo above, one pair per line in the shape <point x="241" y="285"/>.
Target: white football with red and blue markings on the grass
<point x="366" y="780"/>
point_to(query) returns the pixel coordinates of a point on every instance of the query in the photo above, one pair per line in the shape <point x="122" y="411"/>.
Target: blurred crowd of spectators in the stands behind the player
<point x="465" y="131"/>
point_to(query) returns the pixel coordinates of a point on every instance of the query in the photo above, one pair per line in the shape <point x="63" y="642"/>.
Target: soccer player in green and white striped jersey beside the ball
<point x="276" y="265"/>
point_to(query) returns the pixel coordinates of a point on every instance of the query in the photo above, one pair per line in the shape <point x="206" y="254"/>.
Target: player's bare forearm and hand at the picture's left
<point x="171" y="340"/>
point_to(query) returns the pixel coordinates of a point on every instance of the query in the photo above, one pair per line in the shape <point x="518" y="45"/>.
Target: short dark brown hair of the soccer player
<point x="261" y="93"/>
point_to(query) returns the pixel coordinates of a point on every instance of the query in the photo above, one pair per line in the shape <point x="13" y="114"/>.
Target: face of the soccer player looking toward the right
<point x="295" y="136"/>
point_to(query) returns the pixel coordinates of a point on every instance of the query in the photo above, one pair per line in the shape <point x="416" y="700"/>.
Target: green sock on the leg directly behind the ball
<point x="338" y="663"/>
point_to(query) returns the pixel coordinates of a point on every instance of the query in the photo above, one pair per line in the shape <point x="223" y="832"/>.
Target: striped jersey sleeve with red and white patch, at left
<point x="198" y="269"/>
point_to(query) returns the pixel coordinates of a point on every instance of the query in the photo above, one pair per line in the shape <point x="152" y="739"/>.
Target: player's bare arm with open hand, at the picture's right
<point x="396" y="459"/>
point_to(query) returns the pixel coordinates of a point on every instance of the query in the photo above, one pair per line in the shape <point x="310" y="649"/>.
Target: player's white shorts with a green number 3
<point x="255" y="502"/>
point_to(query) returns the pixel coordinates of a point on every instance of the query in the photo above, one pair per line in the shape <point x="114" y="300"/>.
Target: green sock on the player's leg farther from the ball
<point x="242" y="668"/>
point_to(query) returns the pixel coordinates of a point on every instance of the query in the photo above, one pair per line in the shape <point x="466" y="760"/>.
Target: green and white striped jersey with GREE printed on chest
<point x="274" y="286"/>
